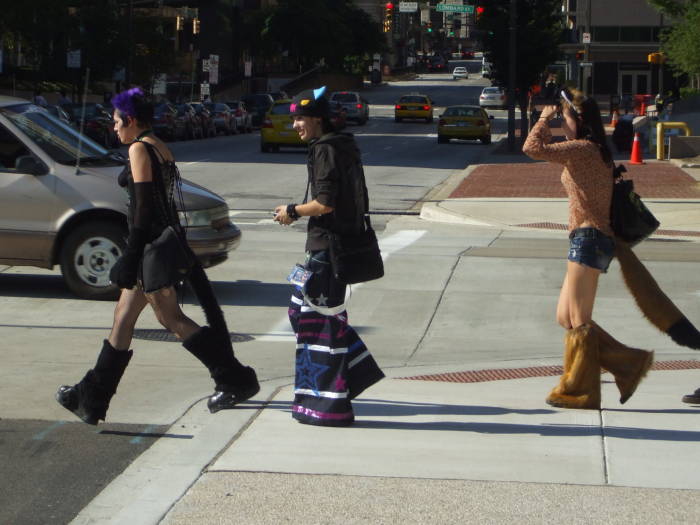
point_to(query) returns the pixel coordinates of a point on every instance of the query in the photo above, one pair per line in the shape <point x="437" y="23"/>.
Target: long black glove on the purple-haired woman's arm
<point x="124" y="273"/>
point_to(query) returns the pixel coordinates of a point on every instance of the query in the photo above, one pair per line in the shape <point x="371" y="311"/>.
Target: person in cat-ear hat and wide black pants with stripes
<point x="333" y="366"/>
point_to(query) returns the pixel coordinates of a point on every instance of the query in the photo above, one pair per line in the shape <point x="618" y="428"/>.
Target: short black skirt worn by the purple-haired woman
<point x="167" y="260"/>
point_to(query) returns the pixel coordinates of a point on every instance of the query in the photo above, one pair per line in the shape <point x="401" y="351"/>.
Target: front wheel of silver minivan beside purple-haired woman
<point x="87" y="256"/>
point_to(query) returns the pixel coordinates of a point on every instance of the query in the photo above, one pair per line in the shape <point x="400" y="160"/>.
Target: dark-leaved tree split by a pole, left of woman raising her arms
<point x="539" y="32"/>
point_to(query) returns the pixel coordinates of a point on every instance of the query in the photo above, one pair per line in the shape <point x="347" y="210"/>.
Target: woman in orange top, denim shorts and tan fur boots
<point x="588" y="181"/>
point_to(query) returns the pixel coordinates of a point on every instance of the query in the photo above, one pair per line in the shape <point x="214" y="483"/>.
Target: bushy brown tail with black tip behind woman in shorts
<point x="652" y="301"/>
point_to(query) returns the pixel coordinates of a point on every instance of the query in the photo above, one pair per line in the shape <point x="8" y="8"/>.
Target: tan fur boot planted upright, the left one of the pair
<point x="579" y="385"/>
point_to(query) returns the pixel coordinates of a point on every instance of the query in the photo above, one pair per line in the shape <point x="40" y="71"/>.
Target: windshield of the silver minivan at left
<point x="61" y="142"/>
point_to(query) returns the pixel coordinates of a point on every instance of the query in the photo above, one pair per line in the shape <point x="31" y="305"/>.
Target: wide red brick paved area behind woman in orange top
<point x="654" y="180"/>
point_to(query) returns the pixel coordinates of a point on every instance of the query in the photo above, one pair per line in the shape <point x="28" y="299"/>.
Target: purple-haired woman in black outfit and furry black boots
<point x="151" y="181"/>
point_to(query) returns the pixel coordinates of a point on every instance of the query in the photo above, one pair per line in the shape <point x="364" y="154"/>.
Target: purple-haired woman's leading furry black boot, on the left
<point x="89" y="399"/>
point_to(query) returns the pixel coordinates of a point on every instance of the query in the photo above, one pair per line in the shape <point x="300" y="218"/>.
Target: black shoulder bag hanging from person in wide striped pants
<point x="356" y="258"/>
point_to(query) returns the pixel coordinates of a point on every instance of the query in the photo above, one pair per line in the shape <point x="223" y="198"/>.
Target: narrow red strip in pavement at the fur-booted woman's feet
<point x="480" y="376"/>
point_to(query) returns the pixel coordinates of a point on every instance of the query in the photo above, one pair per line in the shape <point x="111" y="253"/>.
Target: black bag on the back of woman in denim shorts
<point x="630" y="219"/>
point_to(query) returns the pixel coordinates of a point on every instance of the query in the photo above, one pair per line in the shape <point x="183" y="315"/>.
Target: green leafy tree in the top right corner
<point x="681" y="44"/>
